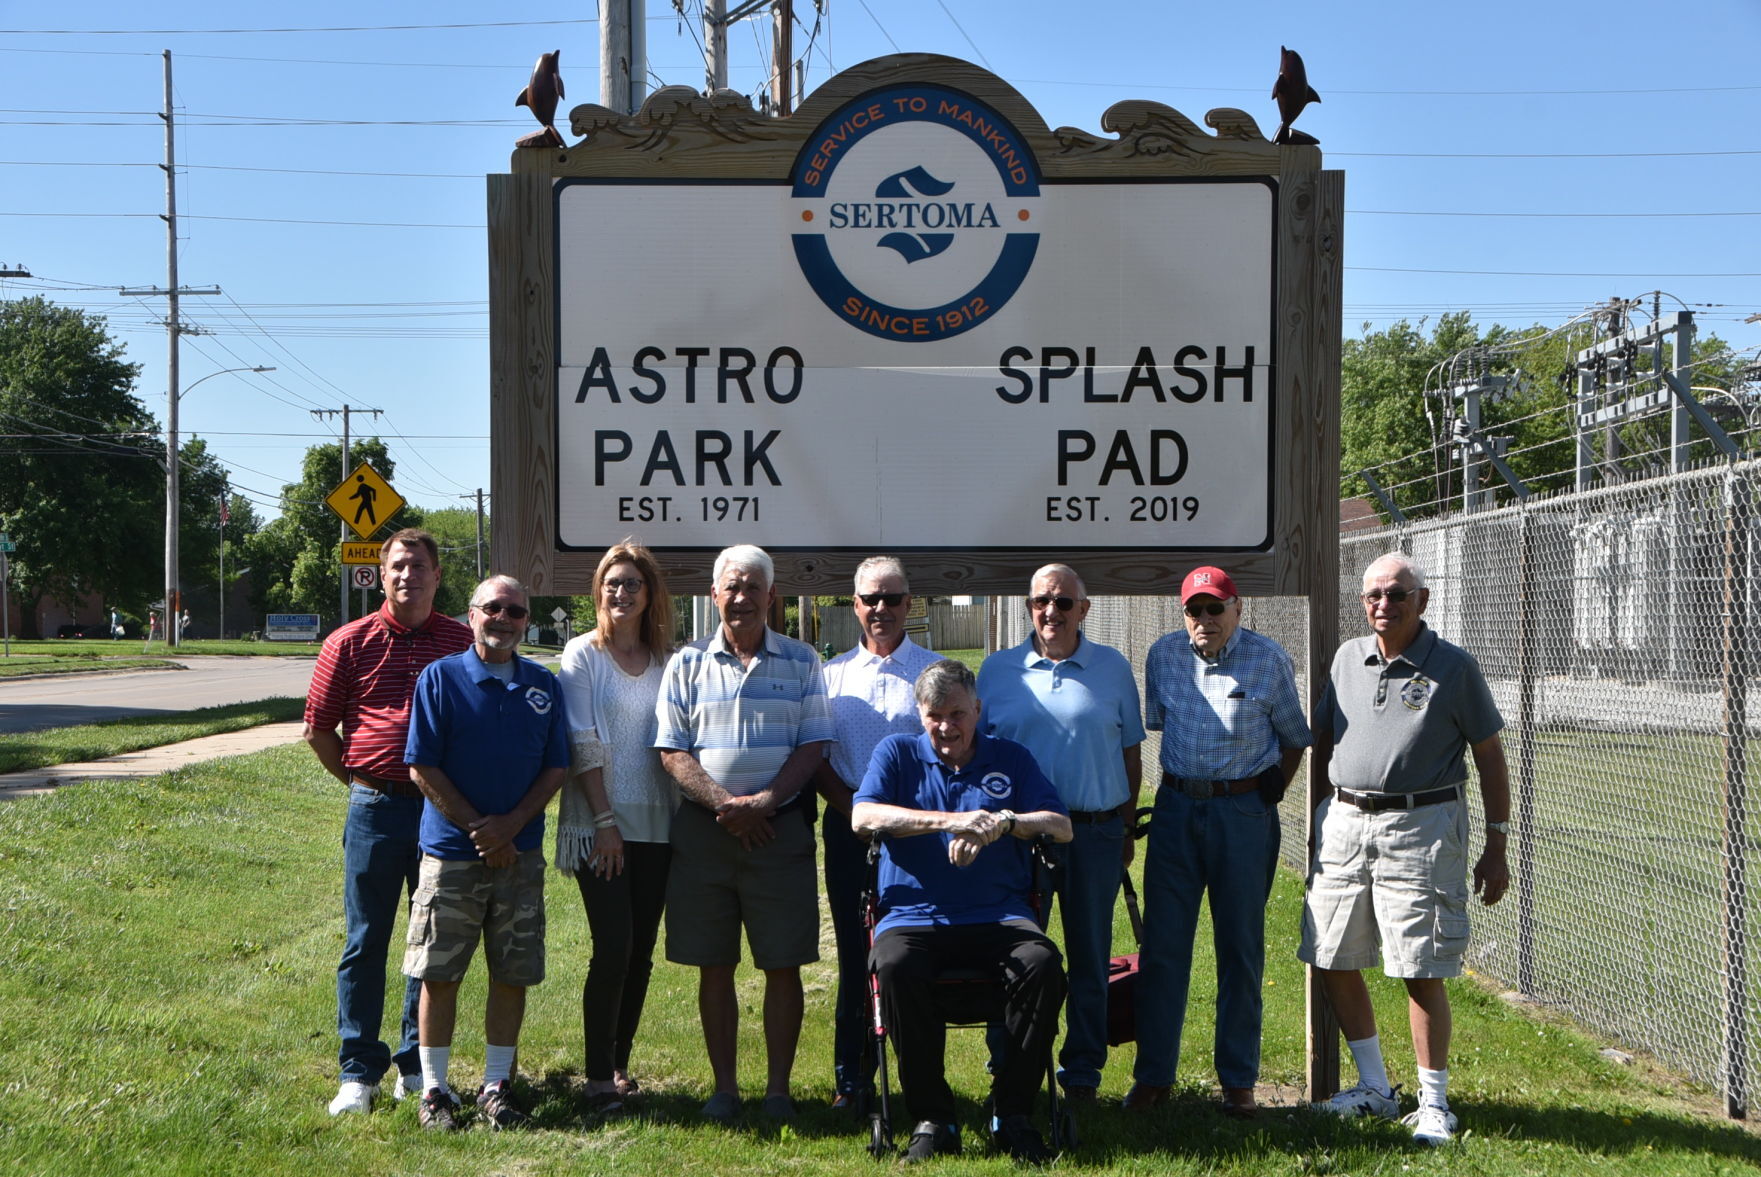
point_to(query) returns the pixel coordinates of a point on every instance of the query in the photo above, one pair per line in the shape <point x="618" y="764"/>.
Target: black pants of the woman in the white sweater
<point x="624" y="917"/>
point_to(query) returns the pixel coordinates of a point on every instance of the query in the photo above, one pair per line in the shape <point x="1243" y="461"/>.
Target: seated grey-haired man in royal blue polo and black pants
<point x="961" y="899"/>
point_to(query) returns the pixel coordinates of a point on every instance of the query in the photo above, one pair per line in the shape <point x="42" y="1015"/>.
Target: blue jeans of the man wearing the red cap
<point x="1227" y="847"/>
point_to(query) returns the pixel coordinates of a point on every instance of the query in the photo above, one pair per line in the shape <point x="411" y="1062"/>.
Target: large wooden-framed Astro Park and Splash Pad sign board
<point x="915" y="320"/>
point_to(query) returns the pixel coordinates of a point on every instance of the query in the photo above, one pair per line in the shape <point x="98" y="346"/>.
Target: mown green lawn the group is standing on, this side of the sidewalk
<point x="168" y="1007"/>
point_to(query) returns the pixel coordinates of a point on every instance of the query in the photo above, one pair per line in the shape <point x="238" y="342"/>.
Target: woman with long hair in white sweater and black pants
<point x="617" y="811"/>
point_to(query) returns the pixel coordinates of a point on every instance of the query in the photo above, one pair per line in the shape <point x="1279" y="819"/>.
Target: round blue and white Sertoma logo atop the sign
<point x="917" y="211"/>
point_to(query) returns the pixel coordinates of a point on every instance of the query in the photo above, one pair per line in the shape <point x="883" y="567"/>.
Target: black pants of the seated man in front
<point x="1033" y="977"/>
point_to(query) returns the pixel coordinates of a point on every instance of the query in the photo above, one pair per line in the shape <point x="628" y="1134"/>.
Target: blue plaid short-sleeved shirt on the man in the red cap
<point x="1223" y="720"/>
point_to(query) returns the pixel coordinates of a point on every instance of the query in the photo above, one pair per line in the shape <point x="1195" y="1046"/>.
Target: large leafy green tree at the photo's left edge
<point x="82" y="487"/>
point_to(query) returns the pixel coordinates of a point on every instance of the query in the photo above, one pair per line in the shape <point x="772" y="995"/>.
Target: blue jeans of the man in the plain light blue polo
<point x="1087" y="891"/>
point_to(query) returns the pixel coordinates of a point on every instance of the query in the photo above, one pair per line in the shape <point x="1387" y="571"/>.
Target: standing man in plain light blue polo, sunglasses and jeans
<point x="1073" y="704"/>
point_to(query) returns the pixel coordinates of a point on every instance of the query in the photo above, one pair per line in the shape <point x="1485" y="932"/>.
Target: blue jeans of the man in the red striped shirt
<point x="381" y="857"/>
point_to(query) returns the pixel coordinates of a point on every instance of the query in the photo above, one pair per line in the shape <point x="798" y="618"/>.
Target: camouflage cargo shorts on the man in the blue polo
<point x="461" y="903"/>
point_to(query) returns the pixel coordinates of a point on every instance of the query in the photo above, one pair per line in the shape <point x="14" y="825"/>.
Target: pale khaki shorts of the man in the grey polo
<point x="1397" y="882"/>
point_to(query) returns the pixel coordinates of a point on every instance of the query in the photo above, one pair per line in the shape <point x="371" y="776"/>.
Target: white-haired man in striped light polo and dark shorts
<point x="744" y="725"/>
